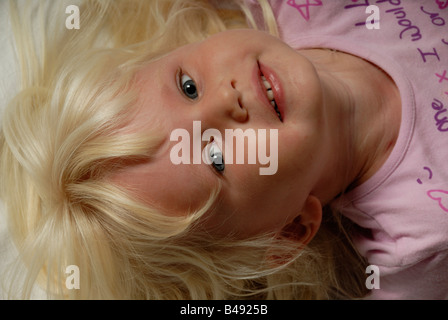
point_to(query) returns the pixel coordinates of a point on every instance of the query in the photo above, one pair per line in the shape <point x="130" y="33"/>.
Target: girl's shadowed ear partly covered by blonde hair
<point x="305" y="226"/>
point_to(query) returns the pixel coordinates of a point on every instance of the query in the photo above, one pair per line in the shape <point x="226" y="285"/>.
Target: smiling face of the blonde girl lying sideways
<point x="218" y="82"/>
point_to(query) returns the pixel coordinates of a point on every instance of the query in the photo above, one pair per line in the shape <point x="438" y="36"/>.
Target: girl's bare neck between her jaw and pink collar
<point x="363" y="111"/>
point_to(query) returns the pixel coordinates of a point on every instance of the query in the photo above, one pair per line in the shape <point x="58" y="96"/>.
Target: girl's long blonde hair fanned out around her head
<point x="62" y="134"/>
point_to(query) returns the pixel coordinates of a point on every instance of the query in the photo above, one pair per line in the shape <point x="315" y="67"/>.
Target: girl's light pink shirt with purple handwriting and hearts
<point x="405" y="204"/>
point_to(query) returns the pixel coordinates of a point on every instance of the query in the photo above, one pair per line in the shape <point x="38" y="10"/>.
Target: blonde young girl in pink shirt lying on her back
<point x="88" y="177"/>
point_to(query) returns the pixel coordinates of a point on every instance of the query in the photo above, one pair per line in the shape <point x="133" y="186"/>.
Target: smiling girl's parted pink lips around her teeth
<point x="272" y="78"/>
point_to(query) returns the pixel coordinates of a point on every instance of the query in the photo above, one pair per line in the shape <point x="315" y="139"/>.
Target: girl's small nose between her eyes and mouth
<point x="224" y="103"/>
